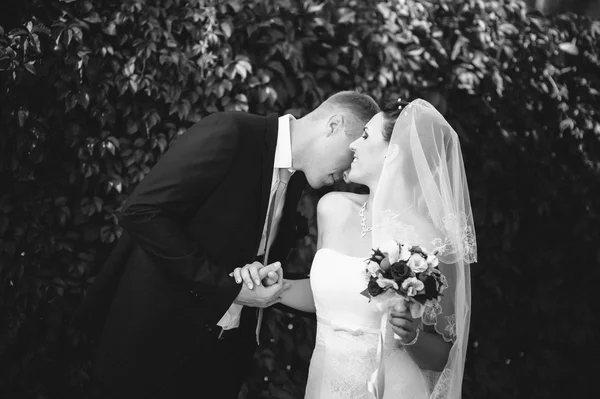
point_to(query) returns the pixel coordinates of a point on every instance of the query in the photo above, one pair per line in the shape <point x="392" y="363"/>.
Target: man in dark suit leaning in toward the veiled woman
<point x="220" y="197"/>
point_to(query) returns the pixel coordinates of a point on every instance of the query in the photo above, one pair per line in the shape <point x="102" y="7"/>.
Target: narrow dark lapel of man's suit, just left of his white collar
<point x="268" y="160"/>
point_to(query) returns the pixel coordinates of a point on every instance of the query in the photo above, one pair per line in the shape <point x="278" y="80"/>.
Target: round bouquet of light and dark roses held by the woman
<point x="404" y="273"/>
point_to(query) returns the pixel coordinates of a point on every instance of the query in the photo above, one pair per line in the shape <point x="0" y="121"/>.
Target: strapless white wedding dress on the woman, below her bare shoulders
<point x="345" y="353"/>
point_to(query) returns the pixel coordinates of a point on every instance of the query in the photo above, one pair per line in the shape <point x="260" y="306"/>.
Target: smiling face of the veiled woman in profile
<point x="369" y="153"/>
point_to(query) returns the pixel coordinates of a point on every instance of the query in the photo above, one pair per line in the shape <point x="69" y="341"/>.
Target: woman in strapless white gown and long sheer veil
<point x="410" y="160"/>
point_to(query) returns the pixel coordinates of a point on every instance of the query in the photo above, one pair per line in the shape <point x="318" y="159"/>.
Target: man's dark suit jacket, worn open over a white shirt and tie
<point x="195" y="217"/>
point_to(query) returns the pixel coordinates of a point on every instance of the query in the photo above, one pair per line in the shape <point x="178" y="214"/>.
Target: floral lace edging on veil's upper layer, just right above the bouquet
<point x="459" y="238"/>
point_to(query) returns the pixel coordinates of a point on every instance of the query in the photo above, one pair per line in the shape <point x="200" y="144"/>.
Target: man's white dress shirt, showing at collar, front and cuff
<point x="283" y="160"/>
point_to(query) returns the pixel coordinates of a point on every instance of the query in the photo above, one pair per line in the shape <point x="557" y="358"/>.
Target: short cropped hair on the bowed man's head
<point x="357" y="108"/>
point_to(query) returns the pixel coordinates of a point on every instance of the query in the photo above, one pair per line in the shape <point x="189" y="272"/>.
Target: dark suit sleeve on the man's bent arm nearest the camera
<point x="158" y="209"/>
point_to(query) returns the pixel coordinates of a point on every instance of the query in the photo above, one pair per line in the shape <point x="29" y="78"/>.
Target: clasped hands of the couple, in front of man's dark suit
<point x="258" y="295"/>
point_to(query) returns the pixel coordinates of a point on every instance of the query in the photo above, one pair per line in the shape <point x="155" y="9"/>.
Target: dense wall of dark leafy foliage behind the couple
<point x="92" y="94"/>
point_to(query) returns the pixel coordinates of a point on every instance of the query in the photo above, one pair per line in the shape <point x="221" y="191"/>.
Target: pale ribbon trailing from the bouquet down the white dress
<point x="376" y="382"/>
